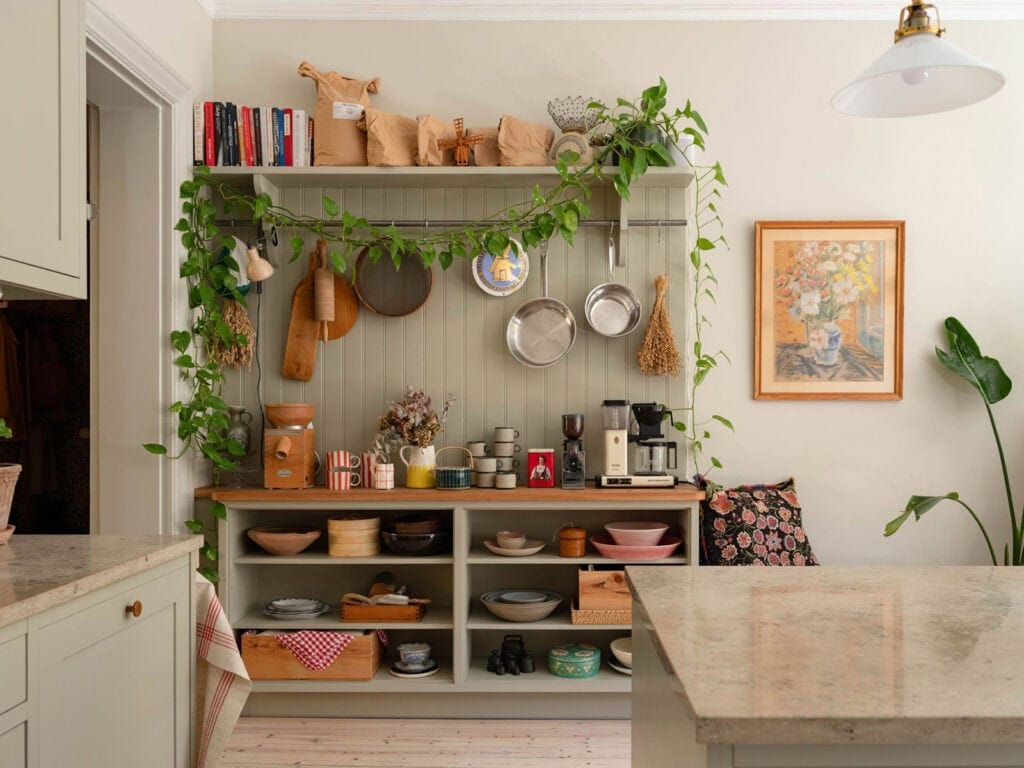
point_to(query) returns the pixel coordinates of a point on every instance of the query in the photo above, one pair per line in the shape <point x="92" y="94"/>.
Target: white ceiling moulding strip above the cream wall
<point x="501" y="11"/>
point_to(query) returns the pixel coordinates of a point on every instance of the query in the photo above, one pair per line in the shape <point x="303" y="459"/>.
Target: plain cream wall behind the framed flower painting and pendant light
<point x="764" y="90"/>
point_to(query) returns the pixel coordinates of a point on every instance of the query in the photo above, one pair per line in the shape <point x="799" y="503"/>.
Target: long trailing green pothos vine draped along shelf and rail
<point x="208" y="269"/>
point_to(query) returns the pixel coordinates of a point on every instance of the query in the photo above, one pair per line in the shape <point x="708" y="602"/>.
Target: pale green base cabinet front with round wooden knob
<point x="114" y="688"/>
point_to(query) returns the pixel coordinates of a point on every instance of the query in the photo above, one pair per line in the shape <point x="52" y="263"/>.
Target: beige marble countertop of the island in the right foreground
<point x="842" y="656"/>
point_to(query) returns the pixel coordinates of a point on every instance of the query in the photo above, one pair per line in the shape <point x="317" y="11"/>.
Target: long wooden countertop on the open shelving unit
<point x="685" y="493"/>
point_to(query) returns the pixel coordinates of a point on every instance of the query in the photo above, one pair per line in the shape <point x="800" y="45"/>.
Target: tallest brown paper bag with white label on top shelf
<point x="340" y="105"/>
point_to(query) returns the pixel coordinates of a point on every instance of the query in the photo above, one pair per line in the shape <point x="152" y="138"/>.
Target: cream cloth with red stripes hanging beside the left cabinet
<point x="222" y="681"/>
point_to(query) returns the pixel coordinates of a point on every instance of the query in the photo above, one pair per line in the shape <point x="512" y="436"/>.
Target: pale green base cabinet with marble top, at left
<point x="97" y="642"/>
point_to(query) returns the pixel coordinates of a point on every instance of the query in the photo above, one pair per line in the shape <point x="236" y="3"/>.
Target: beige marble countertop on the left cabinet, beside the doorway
<point x="40" y="572"/>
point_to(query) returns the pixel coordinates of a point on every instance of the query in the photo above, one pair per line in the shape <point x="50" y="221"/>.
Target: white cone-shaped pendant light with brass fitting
<point x="920" y="75"/>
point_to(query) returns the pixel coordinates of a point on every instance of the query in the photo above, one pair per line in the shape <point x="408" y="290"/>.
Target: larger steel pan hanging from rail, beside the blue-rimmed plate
<point x="542" y="331"/>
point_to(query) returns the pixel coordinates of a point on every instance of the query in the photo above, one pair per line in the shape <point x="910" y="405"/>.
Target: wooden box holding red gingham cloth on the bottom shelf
<point x="266" y="660"/>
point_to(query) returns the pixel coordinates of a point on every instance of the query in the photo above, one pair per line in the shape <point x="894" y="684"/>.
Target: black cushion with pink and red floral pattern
<point x="754" y="526"/>
